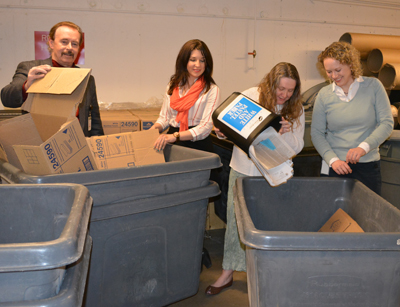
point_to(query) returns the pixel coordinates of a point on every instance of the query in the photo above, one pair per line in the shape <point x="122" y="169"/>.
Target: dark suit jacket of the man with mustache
<point x="11" y="97"/>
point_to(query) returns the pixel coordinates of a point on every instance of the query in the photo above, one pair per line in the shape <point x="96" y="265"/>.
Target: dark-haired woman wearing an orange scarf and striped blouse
<point x="191" y="98"/>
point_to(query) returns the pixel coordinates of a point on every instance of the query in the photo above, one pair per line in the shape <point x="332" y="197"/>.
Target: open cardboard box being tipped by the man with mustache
<point x="49" y="139"/>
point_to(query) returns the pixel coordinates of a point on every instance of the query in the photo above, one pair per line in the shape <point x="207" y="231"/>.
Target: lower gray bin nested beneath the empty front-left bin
<point x="72" y="287"/>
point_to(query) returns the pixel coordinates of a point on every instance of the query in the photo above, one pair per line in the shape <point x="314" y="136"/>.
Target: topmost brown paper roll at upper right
<point x="366" y="42"/>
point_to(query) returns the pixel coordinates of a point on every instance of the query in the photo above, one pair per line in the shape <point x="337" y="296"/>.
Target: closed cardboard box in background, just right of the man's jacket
<point x="119" y="121"/>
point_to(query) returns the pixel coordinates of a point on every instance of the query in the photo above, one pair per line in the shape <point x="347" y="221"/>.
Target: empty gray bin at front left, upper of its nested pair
<point x="42" y="230"/>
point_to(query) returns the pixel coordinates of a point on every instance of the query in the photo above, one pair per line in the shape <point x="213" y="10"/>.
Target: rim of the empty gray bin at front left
<point x="66" y="249"/>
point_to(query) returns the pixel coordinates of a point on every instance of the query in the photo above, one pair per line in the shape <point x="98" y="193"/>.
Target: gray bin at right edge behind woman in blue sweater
<point x="390" y="169"/>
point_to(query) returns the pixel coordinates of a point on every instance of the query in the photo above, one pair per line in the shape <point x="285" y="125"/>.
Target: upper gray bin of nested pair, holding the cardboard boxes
<point x="185" y="169"/>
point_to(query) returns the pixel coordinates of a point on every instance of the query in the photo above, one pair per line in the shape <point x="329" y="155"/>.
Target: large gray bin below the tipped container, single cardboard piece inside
<point x="289" y="263"/>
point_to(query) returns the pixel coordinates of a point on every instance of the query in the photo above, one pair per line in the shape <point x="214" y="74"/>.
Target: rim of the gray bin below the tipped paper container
<point x="310" y="241"/>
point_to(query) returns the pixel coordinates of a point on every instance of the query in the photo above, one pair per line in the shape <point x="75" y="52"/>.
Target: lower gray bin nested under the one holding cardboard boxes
<point x="147" y="252"/>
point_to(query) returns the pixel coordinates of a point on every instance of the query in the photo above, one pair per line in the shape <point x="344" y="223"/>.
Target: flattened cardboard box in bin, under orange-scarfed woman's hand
<point x="125" y="149"/>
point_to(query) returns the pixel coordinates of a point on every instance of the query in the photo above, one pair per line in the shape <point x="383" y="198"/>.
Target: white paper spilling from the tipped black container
<point x="272" y="156"/>
